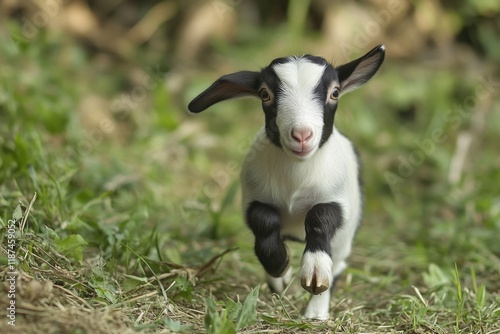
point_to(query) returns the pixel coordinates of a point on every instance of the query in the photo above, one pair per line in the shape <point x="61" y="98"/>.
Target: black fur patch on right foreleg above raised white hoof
<point x="321" y="223"/>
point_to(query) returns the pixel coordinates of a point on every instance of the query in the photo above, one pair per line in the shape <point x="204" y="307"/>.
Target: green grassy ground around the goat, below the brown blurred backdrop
<point x="125" y="209"/>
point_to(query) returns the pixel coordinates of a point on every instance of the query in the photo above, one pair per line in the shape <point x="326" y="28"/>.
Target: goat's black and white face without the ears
<point x="299" y="98"/>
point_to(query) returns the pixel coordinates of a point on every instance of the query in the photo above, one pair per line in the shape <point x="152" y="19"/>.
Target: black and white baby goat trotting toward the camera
<point x="300" y="179"/>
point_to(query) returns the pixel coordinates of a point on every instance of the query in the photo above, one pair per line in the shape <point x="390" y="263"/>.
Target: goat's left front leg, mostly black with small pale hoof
<point x="264" y="221"/>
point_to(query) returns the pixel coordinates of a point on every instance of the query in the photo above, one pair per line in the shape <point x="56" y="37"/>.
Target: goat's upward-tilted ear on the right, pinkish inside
<point x="357" y="72"/>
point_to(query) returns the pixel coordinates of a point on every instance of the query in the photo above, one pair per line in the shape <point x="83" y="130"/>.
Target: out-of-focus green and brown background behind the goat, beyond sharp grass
<point x="93" y="117"/>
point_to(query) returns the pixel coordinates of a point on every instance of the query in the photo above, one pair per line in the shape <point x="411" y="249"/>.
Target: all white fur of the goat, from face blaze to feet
<point x="293" y="186"/>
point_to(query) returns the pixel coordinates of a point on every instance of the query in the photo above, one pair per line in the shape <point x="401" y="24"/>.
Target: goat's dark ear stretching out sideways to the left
<point x="229" y="86"/>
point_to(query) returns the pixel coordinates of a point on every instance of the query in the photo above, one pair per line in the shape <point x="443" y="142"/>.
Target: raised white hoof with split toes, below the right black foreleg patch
<point x="316" y="272"/>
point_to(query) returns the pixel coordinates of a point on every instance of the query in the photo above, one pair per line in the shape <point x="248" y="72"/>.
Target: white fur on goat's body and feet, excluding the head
<point x="330" y="175"/>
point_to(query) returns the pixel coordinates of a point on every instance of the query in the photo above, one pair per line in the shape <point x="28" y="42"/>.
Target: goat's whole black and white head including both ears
<point x="299" y="96"/>
